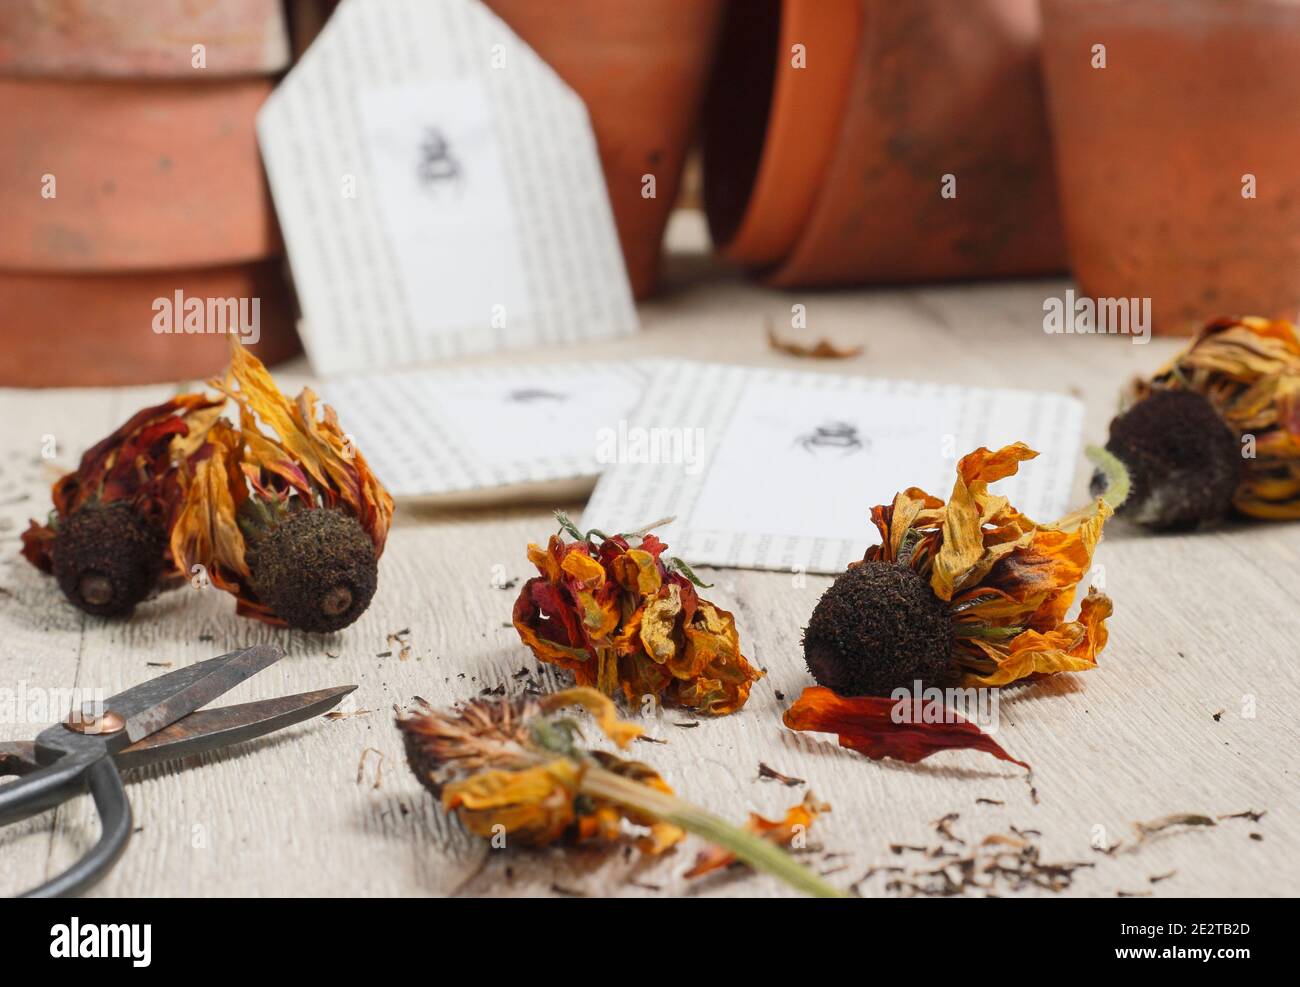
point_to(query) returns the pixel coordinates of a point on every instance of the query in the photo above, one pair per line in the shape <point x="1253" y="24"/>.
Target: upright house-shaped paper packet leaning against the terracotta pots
<point x="440" y="192"/>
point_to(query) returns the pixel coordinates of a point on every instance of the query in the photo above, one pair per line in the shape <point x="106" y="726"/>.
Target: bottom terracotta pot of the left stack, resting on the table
<point x="98" y="330"/>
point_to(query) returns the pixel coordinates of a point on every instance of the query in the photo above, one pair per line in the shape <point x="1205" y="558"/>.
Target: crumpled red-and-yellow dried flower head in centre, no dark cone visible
<point x="616" y="614"/>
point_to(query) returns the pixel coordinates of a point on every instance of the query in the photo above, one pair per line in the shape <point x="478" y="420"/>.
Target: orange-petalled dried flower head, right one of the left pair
<point x="284" y="512"/>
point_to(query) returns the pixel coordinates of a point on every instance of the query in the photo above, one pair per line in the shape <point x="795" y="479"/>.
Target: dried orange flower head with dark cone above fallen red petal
<point x="969" y="592"/>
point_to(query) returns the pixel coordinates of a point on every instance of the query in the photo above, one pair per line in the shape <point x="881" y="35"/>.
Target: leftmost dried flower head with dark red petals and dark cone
<point x="106" y="539"/>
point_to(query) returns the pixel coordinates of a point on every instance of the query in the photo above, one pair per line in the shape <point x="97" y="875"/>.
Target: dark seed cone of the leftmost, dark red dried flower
<point x="107" y="559"/>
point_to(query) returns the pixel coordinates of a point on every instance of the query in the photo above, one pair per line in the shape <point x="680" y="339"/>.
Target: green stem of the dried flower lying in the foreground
<point x="748" y="847"/>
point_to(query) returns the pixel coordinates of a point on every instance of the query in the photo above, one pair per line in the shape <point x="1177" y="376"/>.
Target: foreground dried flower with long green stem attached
<point x="519" y="767"/>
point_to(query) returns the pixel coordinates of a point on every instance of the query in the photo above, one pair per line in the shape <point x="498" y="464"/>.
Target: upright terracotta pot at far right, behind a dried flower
<point x="1155" y="150"/>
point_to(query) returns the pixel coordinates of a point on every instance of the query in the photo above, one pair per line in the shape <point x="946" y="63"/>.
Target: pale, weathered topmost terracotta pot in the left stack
<point x="127" y="38"/>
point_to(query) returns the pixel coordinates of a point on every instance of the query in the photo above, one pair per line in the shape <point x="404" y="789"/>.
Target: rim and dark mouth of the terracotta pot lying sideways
<point x="765" y="159"/>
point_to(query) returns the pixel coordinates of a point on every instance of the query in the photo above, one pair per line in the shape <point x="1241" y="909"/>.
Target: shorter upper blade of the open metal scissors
<point x="159" y="703"/>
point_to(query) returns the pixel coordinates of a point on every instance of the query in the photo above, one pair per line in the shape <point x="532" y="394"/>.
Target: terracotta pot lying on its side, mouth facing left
<point x="930" y="89"/>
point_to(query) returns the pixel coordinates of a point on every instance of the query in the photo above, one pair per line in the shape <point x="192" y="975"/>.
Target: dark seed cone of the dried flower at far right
<point x="1184" y="461"/>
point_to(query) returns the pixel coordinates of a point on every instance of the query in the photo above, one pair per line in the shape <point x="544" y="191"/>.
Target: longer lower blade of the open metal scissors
<point x="209" y="730"/>
